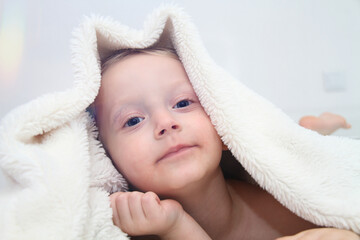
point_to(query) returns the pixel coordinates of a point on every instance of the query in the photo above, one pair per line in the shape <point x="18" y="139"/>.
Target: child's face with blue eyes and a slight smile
<point x="153" y="126"/>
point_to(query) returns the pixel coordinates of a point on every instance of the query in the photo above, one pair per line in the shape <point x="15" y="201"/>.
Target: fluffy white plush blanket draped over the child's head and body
<point x="59" y="178"/>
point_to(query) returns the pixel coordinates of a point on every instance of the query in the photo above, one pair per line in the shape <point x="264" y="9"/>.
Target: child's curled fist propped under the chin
<point x="139" y="213"/>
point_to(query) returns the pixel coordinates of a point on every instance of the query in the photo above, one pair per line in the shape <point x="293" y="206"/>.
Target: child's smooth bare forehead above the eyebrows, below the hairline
<point x="140" y="74"/>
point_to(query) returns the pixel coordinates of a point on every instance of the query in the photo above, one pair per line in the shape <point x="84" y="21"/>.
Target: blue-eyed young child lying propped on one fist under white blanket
<point x="159" y="137"/>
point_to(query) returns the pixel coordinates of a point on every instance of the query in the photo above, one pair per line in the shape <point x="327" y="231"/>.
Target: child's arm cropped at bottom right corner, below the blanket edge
<point x="323" y="234"/>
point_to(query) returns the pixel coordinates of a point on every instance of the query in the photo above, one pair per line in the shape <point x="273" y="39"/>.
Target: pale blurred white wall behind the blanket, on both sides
<point x="302" y="55"/>
